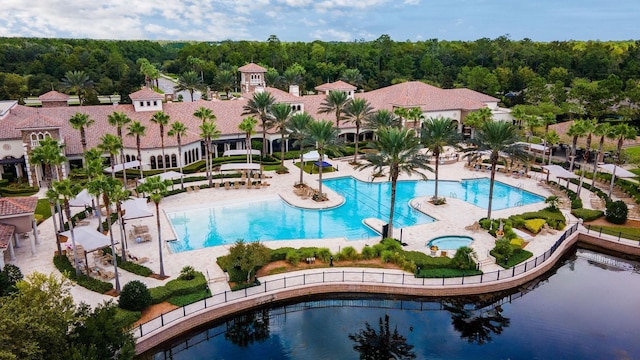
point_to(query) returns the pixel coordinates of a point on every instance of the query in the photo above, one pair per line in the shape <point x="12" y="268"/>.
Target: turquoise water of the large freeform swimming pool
<point x="276" y="220"/>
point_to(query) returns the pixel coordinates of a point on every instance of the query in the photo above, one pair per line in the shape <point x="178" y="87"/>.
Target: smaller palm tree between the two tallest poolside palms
<point x="435" y="135"/>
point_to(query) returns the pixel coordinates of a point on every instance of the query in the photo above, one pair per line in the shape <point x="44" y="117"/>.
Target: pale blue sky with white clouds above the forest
<point x="326" y="20"/>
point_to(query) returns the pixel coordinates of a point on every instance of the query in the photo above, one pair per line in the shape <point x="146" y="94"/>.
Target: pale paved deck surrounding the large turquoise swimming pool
<point x="452" y="218"/>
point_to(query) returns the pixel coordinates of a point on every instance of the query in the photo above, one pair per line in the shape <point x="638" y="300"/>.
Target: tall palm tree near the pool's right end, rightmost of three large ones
<point x="496" y="138"/>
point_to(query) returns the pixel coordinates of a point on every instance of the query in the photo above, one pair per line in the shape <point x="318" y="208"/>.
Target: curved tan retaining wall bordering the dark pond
<point x="205" y="314"/>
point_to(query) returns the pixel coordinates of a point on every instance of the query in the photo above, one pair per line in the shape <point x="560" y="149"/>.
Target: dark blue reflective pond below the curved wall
<point x="589" y="308"/>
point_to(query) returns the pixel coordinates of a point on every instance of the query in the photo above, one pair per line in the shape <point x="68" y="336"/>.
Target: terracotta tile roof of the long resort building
<point x="228" y="113"/>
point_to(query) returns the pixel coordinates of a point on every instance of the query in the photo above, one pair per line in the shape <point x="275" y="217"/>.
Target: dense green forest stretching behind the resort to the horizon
<point x="601" y="75"/>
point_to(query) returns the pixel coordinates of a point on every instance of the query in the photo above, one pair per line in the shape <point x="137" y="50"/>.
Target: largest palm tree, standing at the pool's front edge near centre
<point x="398" y="150"/>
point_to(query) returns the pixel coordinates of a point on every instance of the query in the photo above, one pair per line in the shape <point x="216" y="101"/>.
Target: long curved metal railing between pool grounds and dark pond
<point x="366" y="276"/>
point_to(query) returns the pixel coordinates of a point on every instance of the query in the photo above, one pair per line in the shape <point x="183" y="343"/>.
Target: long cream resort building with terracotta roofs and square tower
<point x="22" y="127"/>
